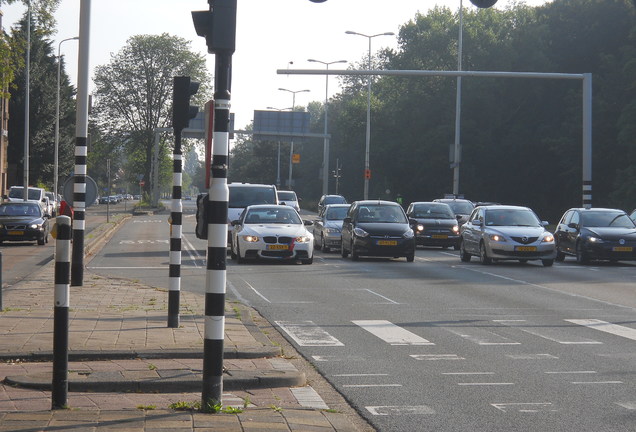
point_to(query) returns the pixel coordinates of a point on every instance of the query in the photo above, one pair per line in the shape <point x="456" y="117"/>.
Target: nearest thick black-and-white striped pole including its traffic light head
<point x="218" y="26"/>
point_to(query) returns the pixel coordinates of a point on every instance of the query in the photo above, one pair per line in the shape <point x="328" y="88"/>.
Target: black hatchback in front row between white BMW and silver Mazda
<point x="377" y="228"/>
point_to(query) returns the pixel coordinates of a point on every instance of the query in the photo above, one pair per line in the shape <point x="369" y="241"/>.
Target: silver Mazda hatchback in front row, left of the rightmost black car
<point x="502" y="232"/>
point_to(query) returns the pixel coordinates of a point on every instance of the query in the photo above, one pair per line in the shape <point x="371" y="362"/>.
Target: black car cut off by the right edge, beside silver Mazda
<point x="596" y="233"/>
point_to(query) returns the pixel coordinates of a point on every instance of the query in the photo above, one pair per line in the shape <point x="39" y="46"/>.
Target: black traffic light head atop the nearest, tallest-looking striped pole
<point x="217" y="26"/>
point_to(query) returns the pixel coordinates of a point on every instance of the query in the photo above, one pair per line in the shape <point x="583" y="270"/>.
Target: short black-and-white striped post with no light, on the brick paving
<point x="59" y="385"/>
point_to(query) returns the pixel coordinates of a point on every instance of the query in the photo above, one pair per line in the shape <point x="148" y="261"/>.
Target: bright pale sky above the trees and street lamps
<point x="270" y="35"/>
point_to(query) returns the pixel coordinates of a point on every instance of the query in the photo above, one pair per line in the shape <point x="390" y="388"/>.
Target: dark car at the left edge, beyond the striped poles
<point x="23" y="221"/>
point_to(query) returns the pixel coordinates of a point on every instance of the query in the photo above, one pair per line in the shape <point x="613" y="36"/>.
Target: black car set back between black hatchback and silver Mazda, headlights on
<point x="436" y="224"/>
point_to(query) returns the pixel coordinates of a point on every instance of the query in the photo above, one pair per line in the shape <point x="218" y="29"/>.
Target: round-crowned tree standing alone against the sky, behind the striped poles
<point x="134" y="94"/>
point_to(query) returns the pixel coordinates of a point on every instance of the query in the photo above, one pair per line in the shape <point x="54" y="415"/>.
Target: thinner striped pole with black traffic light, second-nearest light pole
<point x="182" y="112"/>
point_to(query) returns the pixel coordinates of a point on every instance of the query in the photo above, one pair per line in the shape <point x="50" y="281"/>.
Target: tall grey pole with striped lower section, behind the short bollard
<point x="81" y="149"/>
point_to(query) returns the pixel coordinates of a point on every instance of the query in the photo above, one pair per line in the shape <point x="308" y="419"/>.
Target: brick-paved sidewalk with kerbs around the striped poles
<point x="128" y="370"/>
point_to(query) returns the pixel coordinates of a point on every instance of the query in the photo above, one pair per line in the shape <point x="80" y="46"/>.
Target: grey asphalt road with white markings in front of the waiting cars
<point x="436" y="344"/>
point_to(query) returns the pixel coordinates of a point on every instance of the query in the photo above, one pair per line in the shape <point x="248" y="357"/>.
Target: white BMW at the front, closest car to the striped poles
<point x="271" y="232"/>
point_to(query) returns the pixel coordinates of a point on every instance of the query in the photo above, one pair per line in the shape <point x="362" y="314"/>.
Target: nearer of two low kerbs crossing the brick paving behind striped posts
<point x="160" y="381"/>
